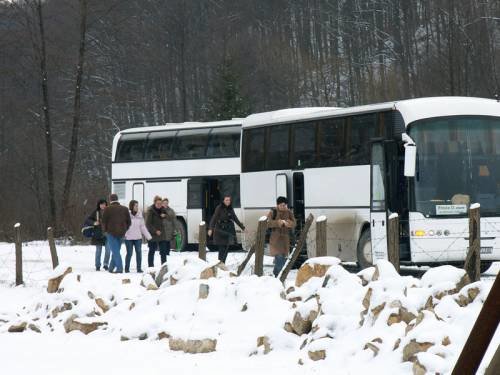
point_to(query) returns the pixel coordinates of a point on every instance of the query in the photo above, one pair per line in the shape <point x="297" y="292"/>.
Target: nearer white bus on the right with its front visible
<point x="349" y="165"/>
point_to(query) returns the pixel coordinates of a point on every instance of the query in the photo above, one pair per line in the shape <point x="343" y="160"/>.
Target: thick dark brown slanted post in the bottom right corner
<point x="481" y="334"/>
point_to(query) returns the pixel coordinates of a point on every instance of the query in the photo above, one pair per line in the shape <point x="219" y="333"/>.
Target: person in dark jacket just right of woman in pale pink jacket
<point x="155" y="224"/>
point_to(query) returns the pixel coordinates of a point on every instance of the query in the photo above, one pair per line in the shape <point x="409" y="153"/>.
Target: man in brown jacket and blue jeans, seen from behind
<point x="115" y="222"/>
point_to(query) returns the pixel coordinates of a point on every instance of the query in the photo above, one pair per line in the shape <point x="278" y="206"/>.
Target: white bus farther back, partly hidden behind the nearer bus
<point x="192" y="164"/>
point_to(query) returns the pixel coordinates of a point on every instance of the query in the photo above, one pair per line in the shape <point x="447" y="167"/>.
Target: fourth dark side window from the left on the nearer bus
<point x="331" y="142"/>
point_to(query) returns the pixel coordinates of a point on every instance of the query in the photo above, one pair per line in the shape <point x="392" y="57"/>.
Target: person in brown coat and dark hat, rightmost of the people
<point x="281" y="221"/>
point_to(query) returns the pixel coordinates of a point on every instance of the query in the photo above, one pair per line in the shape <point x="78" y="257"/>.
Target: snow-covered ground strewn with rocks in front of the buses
<point x="360" y="323"/>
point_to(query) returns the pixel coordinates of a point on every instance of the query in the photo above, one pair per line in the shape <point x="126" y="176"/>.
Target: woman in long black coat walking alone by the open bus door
<point x="222" y="227"/>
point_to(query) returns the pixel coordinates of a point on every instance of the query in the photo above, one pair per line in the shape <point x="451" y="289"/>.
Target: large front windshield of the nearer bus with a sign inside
<point x="458" y="163"/>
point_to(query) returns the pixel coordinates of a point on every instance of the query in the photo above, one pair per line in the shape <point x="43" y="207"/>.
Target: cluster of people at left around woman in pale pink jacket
<point x="114" y="224"/>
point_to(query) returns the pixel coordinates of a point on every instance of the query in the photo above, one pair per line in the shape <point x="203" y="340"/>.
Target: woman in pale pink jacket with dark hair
<point x="133" y="237"/>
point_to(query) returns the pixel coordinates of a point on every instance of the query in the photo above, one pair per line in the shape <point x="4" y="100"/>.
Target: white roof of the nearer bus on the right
<point x="411" y="110"/>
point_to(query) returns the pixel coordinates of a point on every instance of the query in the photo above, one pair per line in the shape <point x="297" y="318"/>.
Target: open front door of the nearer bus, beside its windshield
<point x="378" y="206"/>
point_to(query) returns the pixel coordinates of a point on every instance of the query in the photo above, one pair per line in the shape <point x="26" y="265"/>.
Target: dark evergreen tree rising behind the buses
<point x="226" y="101"/>
